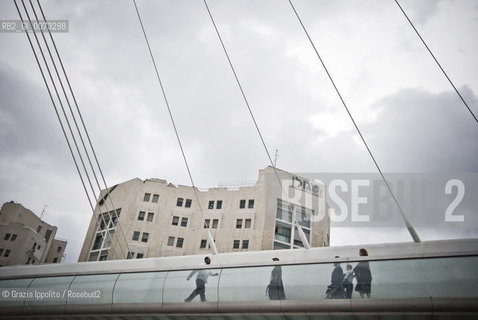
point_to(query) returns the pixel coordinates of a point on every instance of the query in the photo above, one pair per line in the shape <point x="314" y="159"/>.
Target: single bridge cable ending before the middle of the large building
<point x="210" y="238"/>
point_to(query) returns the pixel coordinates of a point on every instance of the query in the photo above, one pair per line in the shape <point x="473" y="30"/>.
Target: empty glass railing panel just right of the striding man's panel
<point x="244" y="284"/>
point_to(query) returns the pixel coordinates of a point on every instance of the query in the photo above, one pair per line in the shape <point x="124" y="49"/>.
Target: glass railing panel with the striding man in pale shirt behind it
<point x="177" y="287"/>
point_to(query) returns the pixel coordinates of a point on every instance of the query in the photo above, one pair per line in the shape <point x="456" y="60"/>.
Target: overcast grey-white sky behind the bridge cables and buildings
<point x="407" y="110"/>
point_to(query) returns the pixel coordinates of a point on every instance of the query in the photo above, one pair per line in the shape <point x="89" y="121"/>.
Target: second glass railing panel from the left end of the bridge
<point x="49" y="291"/>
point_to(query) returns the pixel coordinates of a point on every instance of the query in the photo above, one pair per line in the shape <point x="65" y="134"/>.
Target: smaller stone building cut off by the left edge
<point x="26" y="239"/>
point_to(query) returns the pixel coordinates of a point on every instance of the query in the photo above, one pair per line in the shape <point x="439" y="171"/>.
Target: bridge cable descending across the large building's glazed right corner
<point x="301" y="233"/>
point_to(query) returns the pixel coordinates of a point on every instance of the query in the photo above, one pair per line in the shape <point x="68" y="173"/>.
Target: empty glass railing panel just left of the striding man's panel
<point x="139" y="288"/>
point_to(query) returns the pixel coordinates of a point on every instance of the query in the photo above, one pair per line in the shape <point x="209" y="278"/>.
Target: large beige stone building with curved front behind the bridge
<point x="157" y="218"/>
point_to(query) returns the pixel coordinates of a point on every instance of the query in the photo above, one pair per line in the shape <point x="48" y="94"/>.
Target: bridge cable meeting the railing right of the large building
<point x="410" y="228"/>
